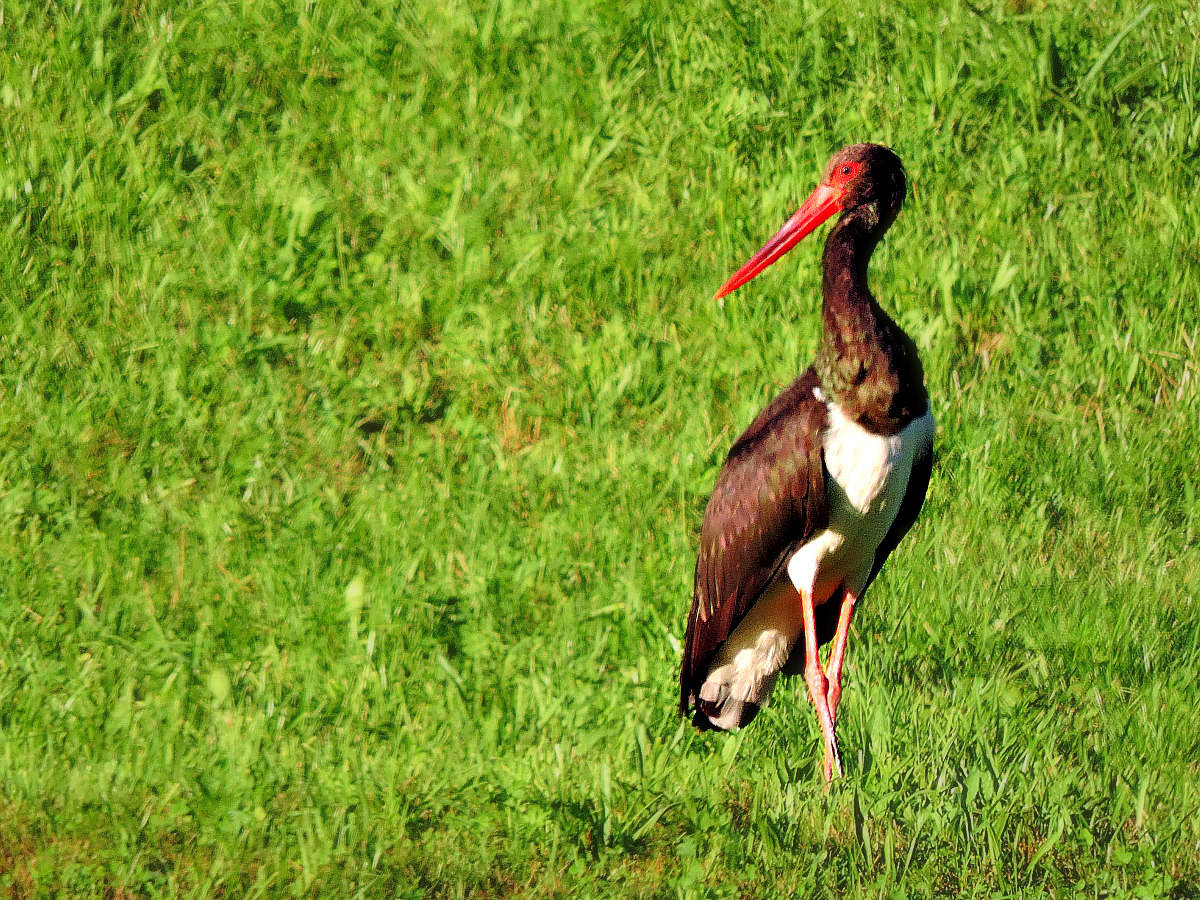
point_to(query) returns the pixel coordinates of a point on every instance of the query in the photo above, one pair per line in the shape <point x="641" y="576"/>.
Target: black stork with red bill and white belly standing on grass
<point x="824" y="484"/>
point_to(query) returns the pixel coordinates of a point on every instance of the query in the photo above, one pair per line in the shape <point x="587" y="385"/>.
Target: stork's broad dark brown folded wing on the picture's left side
<point x="769" y="500"/>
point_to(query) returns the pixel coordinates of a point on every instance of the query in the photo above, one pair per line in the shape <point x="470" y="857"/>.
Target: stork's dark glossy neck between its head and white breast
<point x="867" y="364"/>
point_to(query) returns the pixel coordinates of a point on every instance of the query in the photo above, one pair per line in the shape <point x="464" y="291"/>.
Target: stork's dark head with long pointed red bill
<point x="867" y="179"/>
